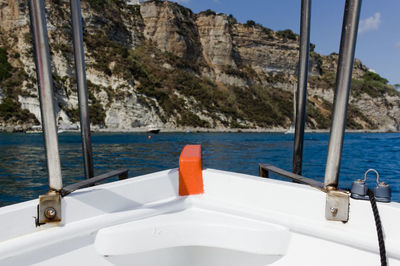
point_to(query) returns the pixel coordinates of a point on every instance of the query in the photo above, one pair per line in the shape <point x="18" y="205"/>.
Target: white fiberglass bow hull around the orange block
<point x="238" y="220"/>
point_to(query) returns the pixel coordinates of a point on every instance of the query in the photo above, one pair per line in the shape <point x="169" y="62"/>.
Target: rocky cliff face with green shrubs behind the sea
<point x="160" y="64"/>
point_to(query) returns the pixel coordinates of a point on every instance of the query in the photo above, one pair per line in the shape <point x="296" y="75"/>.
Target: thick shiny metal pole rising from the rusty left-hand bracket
<point x="45" y="85"/>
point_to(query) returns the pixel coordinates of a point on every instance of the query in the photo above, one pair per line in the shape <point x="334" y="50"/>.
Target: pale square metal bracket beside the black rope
<point x="337" y="205"/>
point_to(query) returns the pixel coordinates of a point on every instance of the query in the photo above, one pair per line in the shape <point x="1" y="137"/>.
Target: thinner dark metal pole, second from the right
<point x="302" y="86"/>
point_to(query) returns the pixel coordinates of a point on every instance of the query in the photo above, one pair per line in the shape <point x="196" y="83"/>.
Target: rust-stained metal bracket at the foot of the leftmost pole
<point x="49" y="208"/>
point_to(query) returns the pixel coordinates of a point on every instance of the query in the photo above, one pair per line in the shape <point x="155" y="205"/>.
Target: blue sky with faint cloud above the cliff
<point x="378" y="41"/>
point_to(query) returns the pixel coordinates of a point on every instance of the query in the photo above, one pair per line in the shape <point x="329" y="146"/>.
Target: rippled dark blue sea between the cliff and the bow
<point x="23" y="173"/>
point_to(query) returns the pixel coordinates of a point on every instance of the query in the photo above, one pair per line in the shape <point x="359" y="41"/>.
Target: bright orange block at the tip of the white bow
<point x="190" y="171"/>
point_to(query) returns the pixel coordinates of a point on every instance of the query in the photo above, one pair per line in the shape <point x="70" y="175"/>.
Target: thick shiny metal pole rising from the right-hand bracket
<point x="343" y="81"/>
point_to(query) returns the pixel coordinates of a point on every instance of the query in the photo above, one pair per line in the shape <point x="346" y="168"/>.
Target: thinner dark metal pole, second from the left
<point x="79" y="55"/>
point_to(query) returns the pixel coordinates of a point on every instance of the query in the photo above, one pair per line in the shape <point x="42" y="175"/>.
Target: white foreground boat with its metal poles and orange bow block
<point x="198" y="216"/>
